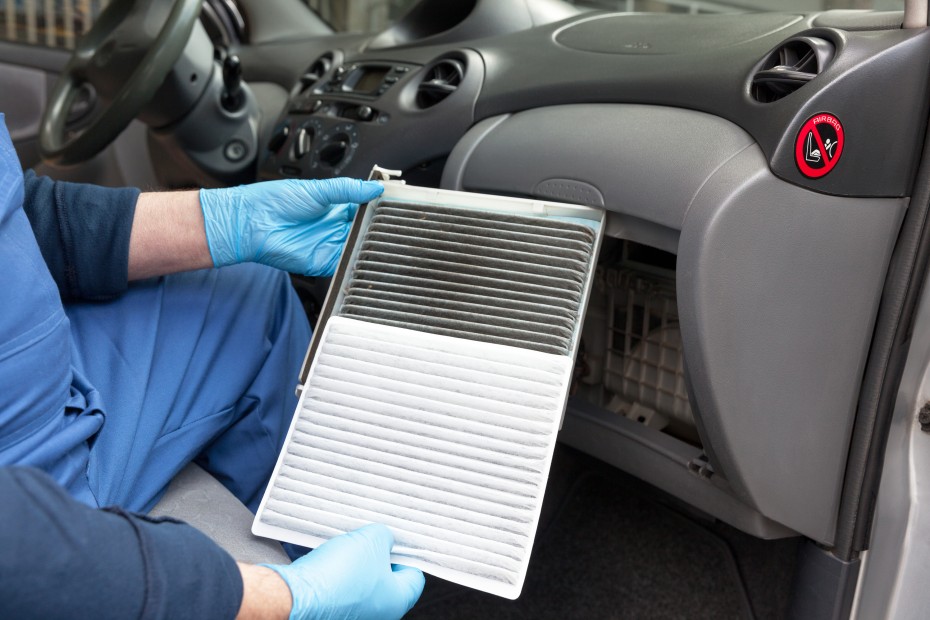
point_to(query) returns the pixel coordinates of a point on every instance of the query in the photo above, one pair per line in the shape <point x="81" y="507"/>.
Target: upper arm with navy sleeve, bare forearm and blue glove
<point x="95" y="239"/>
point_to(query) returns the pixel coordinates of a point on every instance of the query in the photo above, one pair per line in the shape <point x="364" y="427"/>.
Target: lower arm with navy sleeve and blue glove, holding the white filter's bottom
<point x="60" y="558"/>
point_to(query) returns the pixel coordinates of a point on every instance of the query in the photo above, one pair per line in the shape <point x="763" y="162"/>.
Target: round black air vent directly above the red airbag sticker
<point x="789" y="67"/>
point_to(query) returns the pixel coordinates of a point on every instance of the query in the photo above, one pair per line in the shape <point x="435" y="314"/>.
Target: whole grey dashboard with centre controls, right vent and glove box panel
<point x="690" y="131"/>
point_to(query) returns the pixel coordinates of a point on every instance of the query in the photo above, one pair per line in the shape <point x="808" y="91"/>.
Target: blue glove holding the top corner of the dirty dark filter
<point x="296" y="225"/>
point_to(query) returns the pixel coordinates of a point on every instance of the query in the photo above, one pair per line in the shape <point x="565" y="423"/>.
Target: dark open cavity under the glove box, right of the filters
<point x="629" y="405"/>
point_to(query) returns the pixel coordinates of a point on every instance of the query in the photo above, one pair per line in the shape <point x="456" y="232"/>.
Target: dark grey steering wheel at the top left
<point x="123" y="58"/>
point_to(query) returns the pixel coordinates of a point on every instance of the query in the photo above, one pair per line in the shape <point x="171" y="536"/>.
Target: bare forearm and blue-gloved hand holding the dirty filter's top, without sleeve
<point x="295" y="225"/>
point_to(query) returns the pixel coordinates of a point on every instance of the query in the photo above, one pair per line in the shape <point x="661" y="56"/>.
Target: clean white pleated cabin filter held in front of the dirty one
<point x="423" y="433"/>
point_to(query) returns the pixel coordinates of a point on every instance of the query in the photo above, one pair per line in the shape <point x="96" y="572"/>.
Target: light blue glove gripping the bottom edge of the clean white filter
<point x="351" y="576"/>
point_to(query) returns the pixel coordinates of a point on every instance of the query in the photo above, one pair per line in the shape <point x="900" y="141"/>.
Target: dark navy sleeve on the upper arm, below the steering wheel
<point x="83" y="232"/>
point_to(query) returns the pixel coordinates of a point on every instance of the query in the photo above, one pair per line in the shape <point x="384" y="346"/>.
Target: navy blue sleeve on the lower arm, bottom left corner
<point x="62" y="559"/>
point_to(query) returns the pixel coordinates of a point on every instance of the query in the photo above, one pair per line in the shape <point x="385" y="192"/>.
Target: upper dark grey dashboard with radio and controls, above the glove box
<point x="407" y="106"/>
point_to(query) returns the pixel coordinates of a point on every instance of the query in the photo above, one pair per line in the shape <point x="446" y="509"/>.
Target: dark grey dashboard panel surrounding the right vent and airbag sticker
<point x="876" y="86"/>
